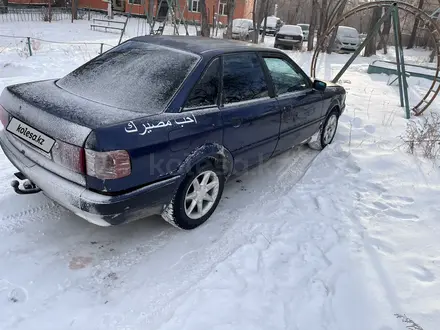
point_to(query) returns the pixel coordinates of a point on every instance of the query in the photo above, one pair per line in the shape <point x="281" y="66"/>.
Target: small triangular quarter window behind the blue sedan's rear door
<point x="205" y="92"/>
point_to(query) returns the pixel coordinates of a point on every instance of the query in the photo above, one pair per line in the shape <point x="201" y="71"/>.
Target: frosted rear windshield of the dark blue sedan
<point x="135" y="76"/>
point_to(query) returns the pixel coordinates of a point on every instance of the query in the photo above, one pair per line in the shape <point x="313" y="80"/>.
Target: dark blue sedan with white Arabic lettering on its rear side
<point x="158" y="124"/>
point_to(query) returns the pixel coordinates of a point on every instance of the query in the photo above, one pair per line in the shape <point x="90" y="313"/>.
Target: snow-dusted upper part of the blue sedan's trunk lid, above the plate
<point x="58" y="113"/>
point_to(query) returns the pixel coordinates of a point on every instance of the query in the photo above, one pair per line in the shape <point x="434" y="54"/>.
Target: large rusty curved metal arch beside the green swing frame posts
<point x="432" y="26"/>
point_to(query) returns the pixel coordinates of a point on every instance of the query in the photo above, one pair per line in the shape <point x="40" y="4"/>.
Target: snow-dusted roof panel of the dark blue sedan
<point x="201" y="45"/>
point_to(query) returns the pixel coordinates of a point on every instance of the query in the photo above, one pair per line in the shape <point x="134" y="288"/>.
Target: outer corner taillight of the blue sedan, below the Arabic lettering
<point x="108" y="165"/>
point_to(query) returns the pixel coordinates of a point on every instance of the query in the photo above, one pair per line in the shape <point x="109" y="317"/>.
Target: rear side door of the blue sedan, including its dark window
<point x="250" y="113"/>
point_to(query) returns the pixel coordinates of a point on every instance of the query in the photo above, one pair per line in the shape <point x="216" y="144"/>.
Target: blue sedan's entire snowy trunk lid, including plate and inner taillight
<point x="50" y="126"/>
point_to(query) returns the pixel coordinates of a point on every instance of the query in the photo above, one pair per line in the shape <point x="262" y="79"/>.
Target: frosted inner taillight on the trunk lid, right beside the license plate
<point x="69" y="156"/>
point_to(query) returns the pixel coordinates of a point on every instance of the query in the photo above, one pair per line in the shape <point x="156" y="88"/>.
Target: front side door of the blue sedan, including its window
<point x="301" y="106"/>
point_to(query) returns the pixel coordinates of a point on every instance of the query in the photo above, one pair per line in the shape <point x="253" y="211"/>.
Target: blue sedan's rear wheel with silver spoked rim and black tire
<point x="180" y="212"/>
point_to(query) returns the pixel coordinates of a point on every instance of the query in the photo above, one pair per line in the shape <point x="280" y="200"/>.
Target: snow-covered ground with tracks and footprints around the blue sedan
<point x="343" y="239"/>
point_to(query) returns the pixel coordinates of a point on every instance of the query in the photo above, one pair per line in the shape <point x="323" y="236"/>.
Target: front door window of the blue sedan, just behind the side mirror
<point x="286" y="79"/>
